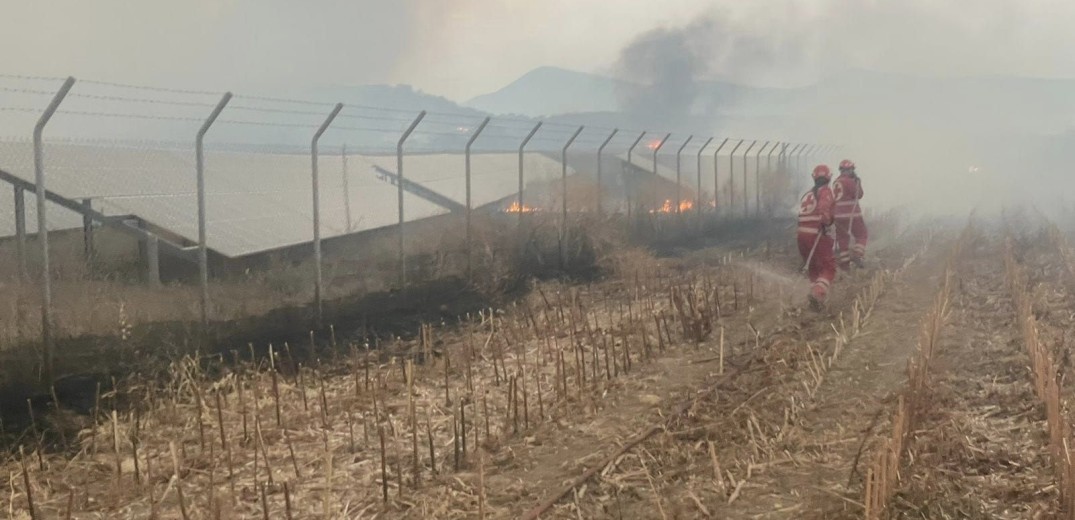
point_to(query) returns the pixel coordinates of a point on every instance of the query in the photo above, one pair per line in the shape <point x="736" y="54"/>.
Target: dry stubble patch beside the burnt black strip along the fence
<point x="421" y="422"/>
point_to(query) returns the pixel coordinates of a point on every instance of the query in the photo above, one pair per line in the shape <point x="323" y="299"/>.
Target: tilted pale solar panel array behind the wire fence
<point x="255" y="203"/>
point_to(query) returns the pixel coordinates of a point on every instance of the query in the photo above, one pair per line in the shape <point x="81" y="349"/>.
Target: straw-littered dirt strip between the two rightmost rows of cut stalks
<point x="981" y="451"/>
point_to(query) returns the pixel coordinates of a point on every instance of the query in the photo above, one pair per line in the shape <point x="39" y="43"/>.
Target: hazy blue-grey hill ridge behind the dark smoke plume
<point x="979" y="105"/>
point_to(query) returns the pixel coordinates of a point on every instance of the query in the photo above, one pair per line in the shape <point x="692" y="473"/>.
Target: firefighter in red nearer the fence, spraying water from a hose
<point x="815" y="236"/>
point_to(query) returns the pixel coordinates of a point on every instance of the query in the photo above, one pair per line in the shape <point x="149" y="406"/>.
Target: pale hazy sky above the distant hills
<point x="461" y="49"/>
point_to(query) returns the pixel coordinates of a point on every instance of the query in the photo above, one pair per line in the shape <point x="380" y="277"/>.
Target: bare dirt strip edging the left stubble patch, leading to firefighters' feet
<point x="533" y="470"/>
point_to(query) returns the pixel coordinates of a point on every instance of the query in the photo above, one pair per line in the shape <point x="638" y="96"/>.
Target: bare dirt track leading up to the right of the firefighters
<point x="818" y="481"/>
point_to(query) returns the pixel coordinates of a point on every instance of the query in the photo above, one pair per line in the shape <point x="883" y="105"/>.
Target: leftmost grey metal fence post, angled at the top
<point x="39" y="178"/>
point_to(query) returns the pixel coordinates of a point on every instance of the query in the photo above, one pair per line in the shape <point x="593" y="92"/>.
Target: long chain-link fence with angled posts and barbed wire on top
<point x="130" y="205"/>
